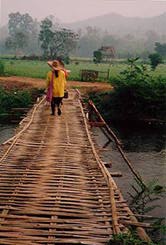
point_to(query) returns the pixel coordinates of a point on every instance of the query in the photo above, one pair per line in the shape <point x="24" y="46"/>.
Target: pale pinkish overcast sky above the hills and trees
<point x="74" y="10"/>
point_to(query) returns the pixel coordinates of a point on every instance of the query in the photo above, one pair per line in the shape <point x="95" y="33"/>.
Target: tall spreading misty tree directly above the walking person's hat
<point x="56" y="41"/>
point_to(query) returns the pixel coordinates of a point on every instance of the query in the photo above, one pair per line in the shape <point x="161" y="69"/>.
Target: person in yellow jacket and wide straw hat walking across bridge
<point x="56" y="85"/>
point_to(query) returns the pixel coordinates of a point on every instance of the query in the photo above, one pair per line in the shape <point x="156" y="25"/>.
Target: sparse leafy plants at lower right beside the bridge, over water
<point x="142" y="199"/>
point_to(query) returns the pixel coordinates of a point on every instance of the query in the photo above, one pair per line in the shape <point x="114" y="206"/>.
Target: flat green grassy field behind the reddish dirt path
<point x="39" y="69"/>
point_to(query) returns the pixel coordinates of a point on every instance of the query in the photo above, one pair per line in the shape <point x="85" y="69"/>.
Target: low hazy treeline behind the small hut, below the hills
<point x="125" y="47"/>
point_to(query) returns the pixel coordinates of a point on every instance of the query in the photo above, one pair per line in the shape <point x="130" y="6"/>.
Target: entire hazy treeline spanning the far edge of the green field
<point x="25" y="36"/>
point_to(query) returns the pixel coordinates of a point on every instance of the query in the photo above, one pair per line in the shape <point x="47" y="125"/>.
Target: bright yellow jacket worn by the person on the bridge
<point x="59" y="83"/>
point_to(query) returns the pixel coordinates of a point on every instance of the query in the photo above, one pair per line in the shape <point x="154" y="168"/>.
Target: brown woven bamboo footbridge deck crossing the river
<point x="54" y="189"/>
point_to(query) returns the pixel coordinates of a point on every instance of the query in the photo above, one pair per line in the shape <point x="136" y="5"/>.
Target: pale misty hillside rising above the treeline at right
<point x="121" y="25"/>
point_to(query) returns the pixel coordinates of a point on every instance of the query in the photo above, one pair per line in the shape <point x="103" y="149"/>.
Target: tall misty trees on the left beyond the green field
<point x="28" y="37"/>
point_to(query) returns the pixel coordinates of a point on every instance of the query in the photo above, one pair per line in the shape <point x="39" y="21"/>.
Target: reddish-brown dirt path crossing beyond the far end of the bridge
<point x="26" y="82"/>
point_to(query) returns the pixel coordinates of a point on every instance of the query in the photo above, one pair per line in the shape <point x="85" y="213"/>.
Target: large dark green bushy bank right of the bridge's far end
<point x="136" y="95"/>
